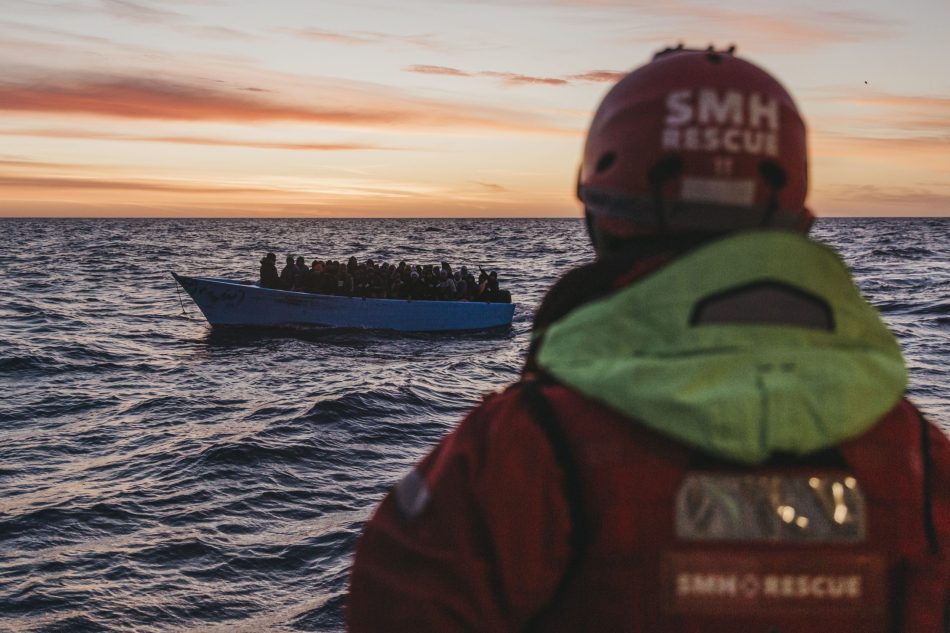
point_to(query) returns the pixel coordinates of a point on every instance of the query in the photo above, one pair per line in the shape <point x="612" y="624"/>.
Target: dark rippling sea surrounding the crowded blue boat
<point x="159" y="475"/>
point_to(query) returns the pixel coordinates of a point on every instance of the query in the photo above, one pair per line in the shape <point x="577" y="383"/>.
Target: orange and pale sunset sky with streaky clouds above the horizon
<point x="429" y="107"/>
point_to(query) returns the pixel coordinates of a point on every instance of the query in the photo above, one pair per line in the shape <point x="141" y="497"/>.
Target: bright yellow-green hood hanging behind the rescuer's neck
<point x="741" y="391"/>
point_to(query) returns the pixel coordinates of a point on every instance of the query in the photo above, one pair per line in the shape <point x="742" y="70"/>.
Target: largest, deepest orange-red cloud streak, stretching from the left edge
<point x="138" y="98"/>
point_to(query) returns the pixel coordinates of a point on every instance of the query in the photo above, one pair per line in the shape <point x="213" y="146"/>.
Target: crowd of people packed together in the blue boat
<point x="377" y="280"/>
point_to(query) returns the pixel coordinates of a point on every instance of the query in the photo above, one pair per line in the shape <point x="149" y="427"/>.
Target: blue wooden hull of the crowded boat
<point x="228" y="302"/>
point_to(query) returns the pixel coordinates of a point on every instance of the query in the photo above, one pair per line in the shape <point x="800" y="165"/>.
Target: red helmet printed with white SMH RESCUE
<point x="695" y="141"/>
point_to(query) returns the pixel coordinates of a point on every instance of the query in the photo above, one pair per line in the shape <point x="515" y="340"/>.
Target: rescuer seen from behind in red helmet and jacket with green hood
<point x="711" y="432"/>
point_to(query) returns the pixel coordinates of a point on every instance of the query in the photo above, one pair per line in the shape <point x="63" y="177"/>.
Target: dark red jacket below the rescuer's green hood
<point x="478" y="536"/>
